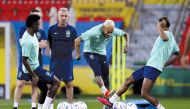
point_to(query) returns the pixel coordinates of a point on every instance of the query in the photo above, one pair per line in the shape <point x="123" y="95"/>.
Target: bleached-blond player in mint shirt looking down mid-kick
<point x="95" y="41"/>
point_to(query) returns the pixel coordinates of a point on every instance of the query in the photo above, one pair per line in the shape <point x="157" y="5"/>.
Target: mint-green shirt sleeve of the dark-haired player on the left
<point x="26" y="49"/>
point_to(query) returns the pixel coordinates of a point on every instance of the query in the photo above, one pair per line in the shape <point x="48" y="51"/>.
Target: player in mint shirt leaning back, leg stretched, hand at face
<point x="164" y="46"/>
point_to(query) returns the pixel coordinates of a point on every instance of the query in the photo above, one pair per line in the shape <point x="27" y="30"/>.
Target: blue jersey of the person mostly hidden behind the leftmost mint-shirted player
<point x="40" y="35"/>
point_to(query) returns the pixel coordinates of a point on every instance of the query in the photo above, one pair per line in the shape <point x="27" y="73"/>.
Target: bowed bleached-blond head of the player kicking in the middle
<point x="108" y="27"/>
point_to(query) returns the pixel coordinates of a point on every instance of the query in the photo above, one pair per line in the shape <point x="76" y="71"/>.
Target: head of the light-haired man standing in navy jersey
<point x="63" y="16"/>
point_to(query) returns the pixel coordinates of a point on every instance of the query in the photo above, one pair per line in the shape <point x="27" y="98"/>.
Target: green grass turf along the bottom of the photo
<point x="168" y="102"/>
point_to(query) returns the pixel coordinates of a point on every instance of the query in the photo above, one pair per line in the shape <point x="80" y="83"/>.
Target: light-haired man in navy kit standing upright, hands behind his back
<point x="61" y="38"/>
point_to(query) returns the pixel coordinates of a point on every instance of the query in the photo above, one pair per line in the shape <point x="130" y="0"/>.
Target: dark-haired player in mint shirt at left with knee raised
<point x="31" y="66"/>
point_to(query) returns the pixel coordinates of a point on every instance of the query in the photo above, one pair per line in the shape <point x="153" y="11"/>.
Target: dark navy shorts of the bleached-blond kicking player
<point x="98" y="63"/>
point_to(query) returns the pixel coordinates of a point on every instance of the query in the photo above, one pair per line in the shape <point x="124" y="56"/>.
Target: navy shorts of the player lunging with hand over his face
<point x="146" y="72"/>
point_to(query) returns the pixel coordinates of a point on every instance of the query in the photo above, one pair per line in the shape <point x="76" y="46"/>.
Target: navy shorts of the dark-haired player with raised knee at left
<point x="44" y="75"/>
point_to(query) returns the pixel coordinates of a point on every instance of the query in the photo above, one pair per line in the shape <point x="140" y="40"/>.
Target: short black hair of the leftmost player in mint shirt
<point x="32" y="19"/>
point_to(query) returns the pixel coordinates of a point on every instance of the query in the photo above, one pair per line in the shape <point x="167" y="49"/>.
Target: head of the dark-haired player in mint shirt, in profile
<point x="32" y="22"/>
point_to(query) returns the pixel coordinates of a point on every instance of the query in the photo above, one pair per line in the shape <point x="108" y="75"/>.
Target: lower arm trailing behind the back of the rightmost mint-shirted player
<point x="175" y="56"/>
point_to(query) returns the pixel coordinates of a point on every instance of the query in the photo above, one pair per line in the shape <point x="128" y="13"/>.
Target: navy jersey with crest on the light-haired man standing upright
<point x="61" y="40"/>
